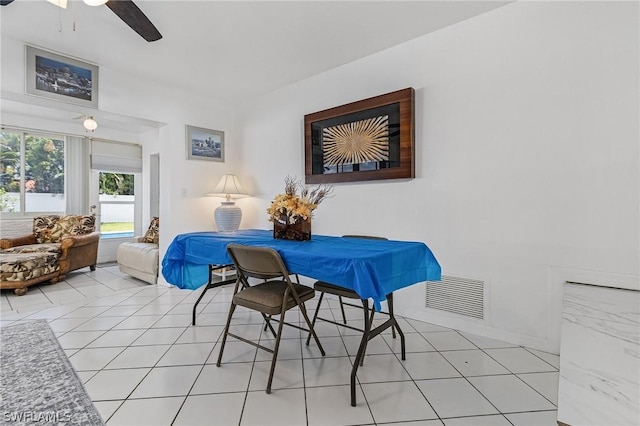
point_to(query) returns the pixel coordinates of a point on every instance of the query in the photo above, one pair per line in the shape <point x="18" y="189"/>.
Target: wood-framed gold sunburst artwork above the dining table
<point x="365" y="140"/>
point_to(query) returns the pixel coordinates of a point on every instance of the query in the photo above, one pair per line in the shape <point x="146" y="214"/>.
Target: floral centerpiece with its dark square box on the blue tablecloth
<point x="292" y="211"/>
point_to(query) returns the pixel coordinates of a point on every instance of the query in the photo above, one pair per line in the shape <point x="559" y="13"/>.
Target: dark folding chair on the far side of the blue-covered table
<point x="342" y="292"/>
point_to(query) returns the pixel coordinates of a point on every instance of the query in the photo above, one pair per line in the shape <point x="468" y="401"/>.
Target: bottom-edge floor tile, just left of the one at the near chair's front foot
<point x="220" y="409"/>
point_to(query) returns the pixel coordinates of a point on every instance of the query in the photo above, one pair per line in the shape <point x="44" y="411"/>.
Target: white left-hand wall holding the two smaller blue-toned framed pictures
<point x="183" y="204"/>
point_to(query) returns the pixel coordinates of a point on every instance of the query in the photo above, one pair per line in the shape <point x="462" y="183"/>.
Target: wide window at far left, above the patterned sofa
<point x="32" y="173"/>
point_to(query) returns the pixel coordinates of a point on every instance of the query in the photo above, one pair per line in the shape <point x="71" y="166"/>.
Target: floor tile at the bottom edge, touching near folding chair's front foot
<point x="285" y="407"/>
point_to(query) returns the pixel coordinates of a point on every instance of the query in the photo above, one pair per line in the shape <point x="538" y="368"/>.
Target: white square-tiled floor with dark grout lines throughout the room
<point x="143" y="363"/>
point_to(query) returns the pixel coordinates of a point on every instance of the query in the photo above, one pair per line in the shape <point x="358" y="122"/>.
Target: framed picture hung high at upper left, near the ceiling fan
<point x="61" y="78"/>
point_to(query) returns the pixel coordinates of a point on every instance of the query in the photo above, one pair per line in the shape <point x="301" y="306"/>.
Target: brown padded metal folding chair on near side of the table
<point x="273" y="295"/>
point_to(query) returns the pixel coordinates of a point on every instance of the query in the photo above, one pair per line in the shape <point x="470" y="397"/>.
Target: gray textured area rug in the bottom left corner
<point x="37" y="382"/>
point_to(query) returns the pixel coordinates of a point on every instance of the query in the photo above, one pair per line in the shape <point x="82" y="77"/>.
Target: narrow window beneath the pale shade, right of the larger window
<point x="117" y="204"/>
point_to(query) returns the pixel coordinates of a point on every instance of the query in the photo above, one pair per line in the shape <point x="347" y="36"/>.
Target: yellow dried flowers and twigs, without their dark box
<point x="291" y="207"/>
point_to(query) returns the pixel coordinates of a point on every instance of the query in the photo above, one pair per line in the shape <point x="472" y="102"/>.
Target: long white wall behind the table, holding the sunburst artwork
<point x="526" y="156"/>
